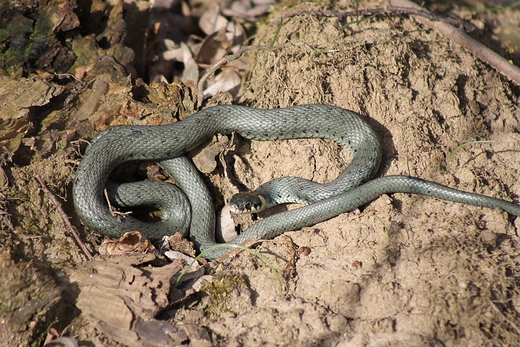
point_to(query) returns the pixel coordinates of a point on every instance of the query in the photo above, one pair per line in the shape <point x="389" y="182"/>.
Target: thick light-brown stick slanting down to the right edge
<point x="476" y="48"/>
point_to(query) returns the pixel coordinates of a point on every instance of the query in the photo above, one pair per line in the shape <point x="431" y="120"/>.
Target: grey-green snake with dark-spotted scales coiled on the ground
<point x="190" y="210"/>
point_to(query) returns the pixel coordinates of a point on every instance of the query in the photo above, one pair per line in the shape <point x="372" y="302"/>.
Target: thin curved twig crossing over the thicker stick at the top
<point x="384" y="11"/>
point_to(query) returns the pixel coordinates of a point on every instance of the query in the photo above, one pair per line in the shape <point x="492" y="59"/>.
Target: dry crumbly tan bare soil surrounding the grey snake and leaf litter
<point x="403" y="271"/>
